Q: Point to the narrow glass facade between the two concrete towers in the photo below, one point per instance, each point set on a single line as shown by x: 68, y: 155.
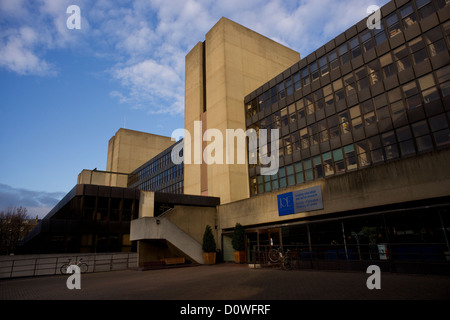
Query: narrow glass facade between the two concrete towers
x: 159, y: 174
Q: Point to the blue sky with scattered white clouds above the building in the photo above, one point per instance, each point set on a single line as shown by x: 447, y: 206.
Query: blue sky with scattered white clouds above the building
x: 65, y: 92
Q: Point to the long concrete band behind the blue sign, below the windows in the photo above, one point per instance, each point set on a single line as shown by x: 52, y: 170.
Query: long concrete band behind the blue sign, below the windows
x: 421, y: 177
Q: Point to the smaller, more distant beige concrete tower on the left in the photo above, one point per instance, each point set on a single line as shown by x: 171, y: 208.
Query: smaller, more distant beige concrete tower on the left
x: 129, y: 149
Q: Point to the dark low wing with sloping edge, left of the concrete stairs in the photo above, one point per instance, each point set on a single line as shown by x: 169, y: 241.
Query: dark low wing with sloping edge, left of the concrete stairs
x: 89, y: 219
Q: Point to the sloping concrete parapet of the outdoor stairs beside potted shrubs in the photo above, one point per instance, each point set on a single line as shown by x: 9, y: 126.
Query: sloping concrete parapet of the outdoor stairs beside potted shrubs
x: 161, y: 228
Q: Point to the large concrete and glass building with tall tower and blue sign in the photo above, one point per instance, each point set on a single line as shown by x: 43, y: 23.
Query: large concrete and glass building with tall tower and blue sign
x: 363, y: 147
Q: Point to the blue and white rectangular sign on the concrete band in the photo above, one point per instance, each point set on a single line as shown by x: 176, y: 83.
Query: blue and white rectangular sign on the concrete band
x: 300, y: 201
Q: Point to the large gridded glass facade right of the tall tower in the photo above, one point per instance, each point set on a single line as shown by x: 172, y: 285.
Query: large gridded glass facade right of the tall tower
x: 366, y: 97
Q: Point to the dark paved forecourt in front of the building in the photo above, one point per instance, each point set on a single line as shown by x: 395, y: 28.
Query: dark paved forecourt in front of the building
x: 227, y: 282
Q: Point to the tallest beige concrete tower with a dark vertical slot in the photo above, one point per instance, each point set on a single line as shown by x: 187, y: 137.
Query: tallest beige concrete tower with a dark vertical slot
x: 232, y: 62
